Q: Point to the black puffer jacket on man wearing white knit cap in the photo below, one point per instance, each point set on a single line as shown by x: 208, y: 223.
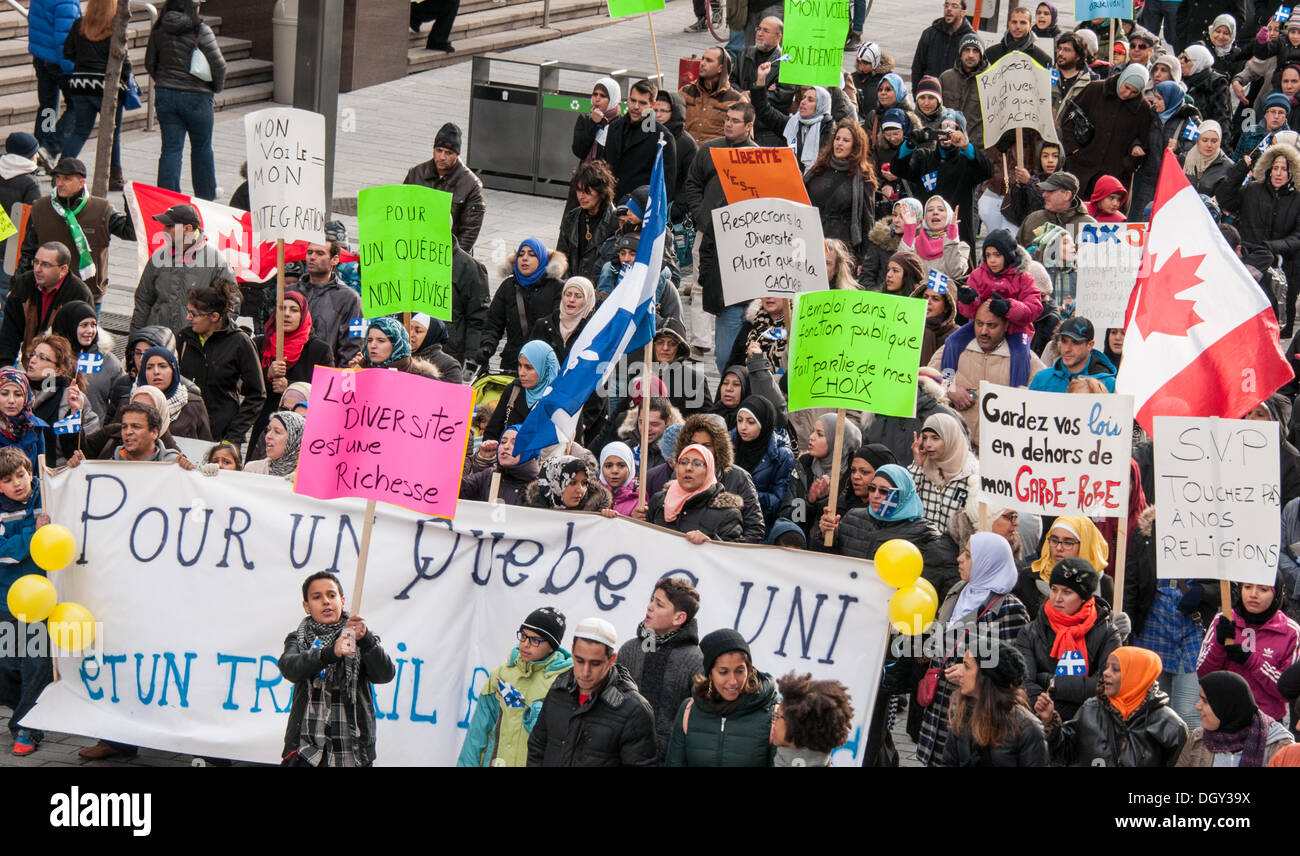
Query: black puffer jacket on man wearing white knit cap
x: 616, y: 728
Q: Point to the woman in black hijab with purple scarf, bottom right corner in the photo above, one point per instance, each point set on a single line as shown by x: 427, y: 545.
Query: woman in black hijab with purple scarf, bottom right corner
x: 1234, y: 732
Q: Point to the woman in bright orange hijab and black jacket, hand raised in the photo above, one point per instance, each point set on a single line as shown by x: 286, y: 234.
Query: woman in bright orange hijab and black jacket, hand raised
x: 1128, y: 723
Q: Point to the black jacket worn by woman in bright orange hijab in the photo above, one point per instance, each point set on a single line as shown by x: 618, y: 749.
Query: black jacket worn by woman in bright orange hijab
x: 1152, y: 736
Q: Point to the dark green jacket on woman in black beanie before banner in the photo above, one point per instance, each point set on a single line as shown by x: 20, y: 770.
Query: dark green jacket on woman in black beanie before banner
x: 738, y: 740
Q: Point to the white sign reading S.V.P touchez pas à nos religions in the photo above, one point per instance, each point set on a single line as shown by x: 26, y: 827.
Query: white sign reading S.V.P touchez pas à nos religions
x: 1217, y: 499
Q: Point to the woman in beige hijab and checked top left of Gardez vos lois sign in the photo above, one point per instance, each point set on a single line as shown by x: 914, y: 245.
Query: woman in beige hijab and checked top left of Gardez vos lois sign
x: 944, y: 469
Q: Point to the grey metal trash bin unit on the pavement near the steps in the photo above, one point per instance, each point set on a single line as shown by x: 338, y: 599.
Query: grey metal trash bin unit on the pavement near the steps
x: 522, y: 116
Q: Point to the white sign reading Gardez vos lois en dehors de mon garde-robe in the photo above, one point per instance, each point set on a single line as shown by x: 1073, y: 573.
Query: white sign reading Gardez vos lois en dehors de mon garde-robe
x: 1055, y: 453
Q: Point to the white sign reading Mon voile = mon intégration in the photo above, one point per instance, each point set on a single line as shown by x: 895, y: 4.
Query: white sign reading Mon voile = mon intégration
x: 287, y: 174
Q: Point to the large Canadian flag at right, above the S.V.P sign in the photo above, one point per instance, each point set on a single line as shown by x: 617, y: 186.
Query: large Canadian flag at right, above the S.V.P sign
x: 1201, y: 338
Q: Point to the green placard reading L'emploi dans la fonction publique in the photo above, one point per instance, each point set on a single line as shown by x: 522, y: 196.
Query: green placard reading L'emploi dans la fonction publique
x: 857, y: 351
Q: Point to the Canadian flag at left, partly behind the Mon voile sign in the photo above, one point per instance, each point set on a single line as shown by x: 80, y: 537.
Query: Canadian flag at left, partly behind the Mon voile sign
x: 228, y: 230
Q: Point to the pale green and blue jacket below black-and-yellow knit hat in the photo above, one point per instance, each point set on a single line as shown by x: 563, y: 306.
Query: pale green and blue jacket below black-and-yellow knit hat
x: 509, y: 706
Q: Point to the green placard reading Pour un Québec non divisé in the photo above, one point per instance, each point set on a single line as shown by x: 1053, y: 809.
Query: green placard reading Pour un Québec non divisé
x: 406, y: 250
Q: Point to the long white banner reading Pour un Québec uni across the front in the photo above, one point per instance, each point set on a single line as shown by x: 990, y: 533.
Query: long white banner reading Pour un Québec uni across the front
x: 197, y: 583
